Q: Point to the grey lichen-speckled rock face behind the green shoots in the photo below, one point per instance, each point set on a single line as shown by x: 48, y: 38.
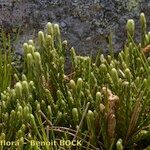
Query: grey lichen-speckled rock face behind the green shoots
x: 85, y: 24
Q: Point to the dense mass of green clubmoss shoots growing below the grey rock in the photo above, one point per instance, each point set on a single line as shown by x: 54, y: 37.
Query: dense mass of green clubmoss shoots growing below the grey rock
x: 105, y: 103
